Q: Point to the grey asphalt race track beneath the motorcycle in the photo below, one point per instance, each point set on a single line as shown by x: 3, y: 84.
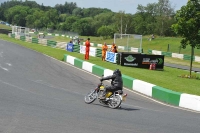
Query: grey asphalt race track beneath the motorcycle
x: 39, y: 94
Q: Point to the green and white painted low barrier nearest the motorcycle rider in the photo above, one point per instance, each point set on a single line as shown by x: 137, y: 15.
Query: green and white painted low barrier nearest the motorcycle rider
x: 159, y: 93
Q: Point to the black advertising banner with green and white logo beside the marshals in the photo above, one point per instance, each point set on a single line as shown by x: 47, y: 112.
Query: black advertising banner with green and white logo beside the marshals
x: 141, y: 60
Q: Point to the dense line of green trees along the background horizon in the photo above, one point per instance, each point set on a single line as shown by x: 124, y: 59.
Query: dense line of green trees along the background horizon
x: 154, y: 18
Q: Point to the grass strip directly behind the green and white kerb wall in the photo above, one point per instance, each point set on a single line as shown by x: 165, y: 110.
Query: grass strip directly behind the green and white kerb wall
x: 168, y: 78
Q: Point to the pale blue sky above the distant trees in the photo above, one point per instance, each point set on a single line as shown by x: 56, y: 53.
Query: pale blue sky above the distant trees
x: 129, y: 6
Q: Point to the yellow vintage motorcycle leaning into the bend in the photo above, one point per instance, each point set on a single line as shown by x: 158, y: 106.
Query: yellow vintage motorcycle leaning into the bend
x: 113, y: 100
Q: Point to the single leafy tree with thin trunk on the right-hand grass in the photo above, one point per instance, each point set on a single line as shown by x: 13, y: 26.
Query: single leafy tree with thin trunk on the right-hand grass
x: 187, y: 26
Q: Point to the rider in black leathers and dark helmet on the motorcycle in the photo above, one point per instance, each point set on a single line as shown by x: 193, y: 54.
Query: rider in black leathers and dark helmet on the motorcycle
x: 116, y: 83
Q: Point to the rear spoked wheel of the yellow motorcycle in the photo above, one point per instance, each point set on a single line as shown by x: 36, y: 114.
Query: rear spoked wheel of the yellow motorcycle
x: 115, y: 102
